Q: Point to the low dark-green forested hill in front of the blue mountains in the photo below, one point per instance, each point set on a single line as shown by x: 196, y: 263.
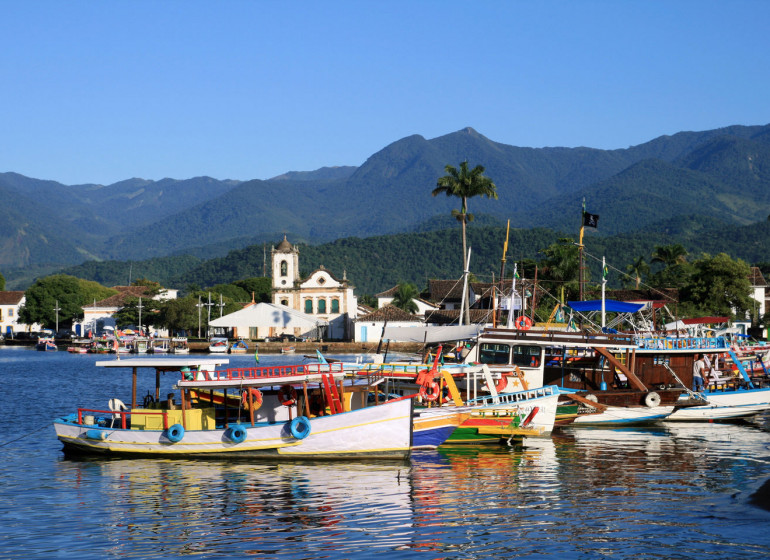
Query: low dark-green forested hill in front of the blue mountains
x: 378, y: 263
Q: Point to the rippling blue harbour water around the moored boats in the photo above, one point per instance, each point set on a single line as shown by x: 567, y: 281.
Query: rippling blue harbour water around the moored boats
x: 676, y: 491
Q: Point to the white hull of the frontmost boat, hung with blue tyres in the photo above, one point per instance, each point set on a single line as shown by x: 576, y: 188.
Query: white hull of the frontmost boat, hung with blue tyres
x: 383, y: 431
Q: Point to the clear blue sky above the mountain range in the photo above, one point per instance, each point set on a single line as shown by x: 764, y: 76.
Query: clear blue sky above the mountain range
x: 98, y: 92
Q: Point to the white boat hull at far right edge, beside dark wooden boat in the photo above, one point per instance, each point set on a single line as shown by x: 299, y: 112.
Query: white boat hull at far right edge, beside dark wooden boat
x: 742, y: 403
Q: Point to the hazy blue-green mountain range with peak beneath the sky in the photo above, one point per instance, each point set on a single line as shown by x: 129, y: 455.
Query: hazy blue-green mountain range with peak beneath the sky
x: 715, y: 176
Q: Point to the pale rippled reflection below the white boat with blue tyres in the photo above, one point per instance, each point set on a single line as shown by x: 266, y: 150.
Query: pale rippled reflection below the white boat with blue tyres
x: 184, y: 507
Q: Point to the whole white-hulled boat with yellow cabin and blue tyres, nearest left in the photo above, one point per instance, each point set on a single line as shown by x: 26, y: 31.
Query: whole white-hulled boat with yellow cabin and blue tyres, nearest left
x: 274, y: 428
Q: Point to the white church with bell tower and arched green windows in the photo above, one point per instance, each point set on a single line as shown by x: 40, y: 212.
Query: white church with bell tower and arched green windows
x: 321, y: 294
